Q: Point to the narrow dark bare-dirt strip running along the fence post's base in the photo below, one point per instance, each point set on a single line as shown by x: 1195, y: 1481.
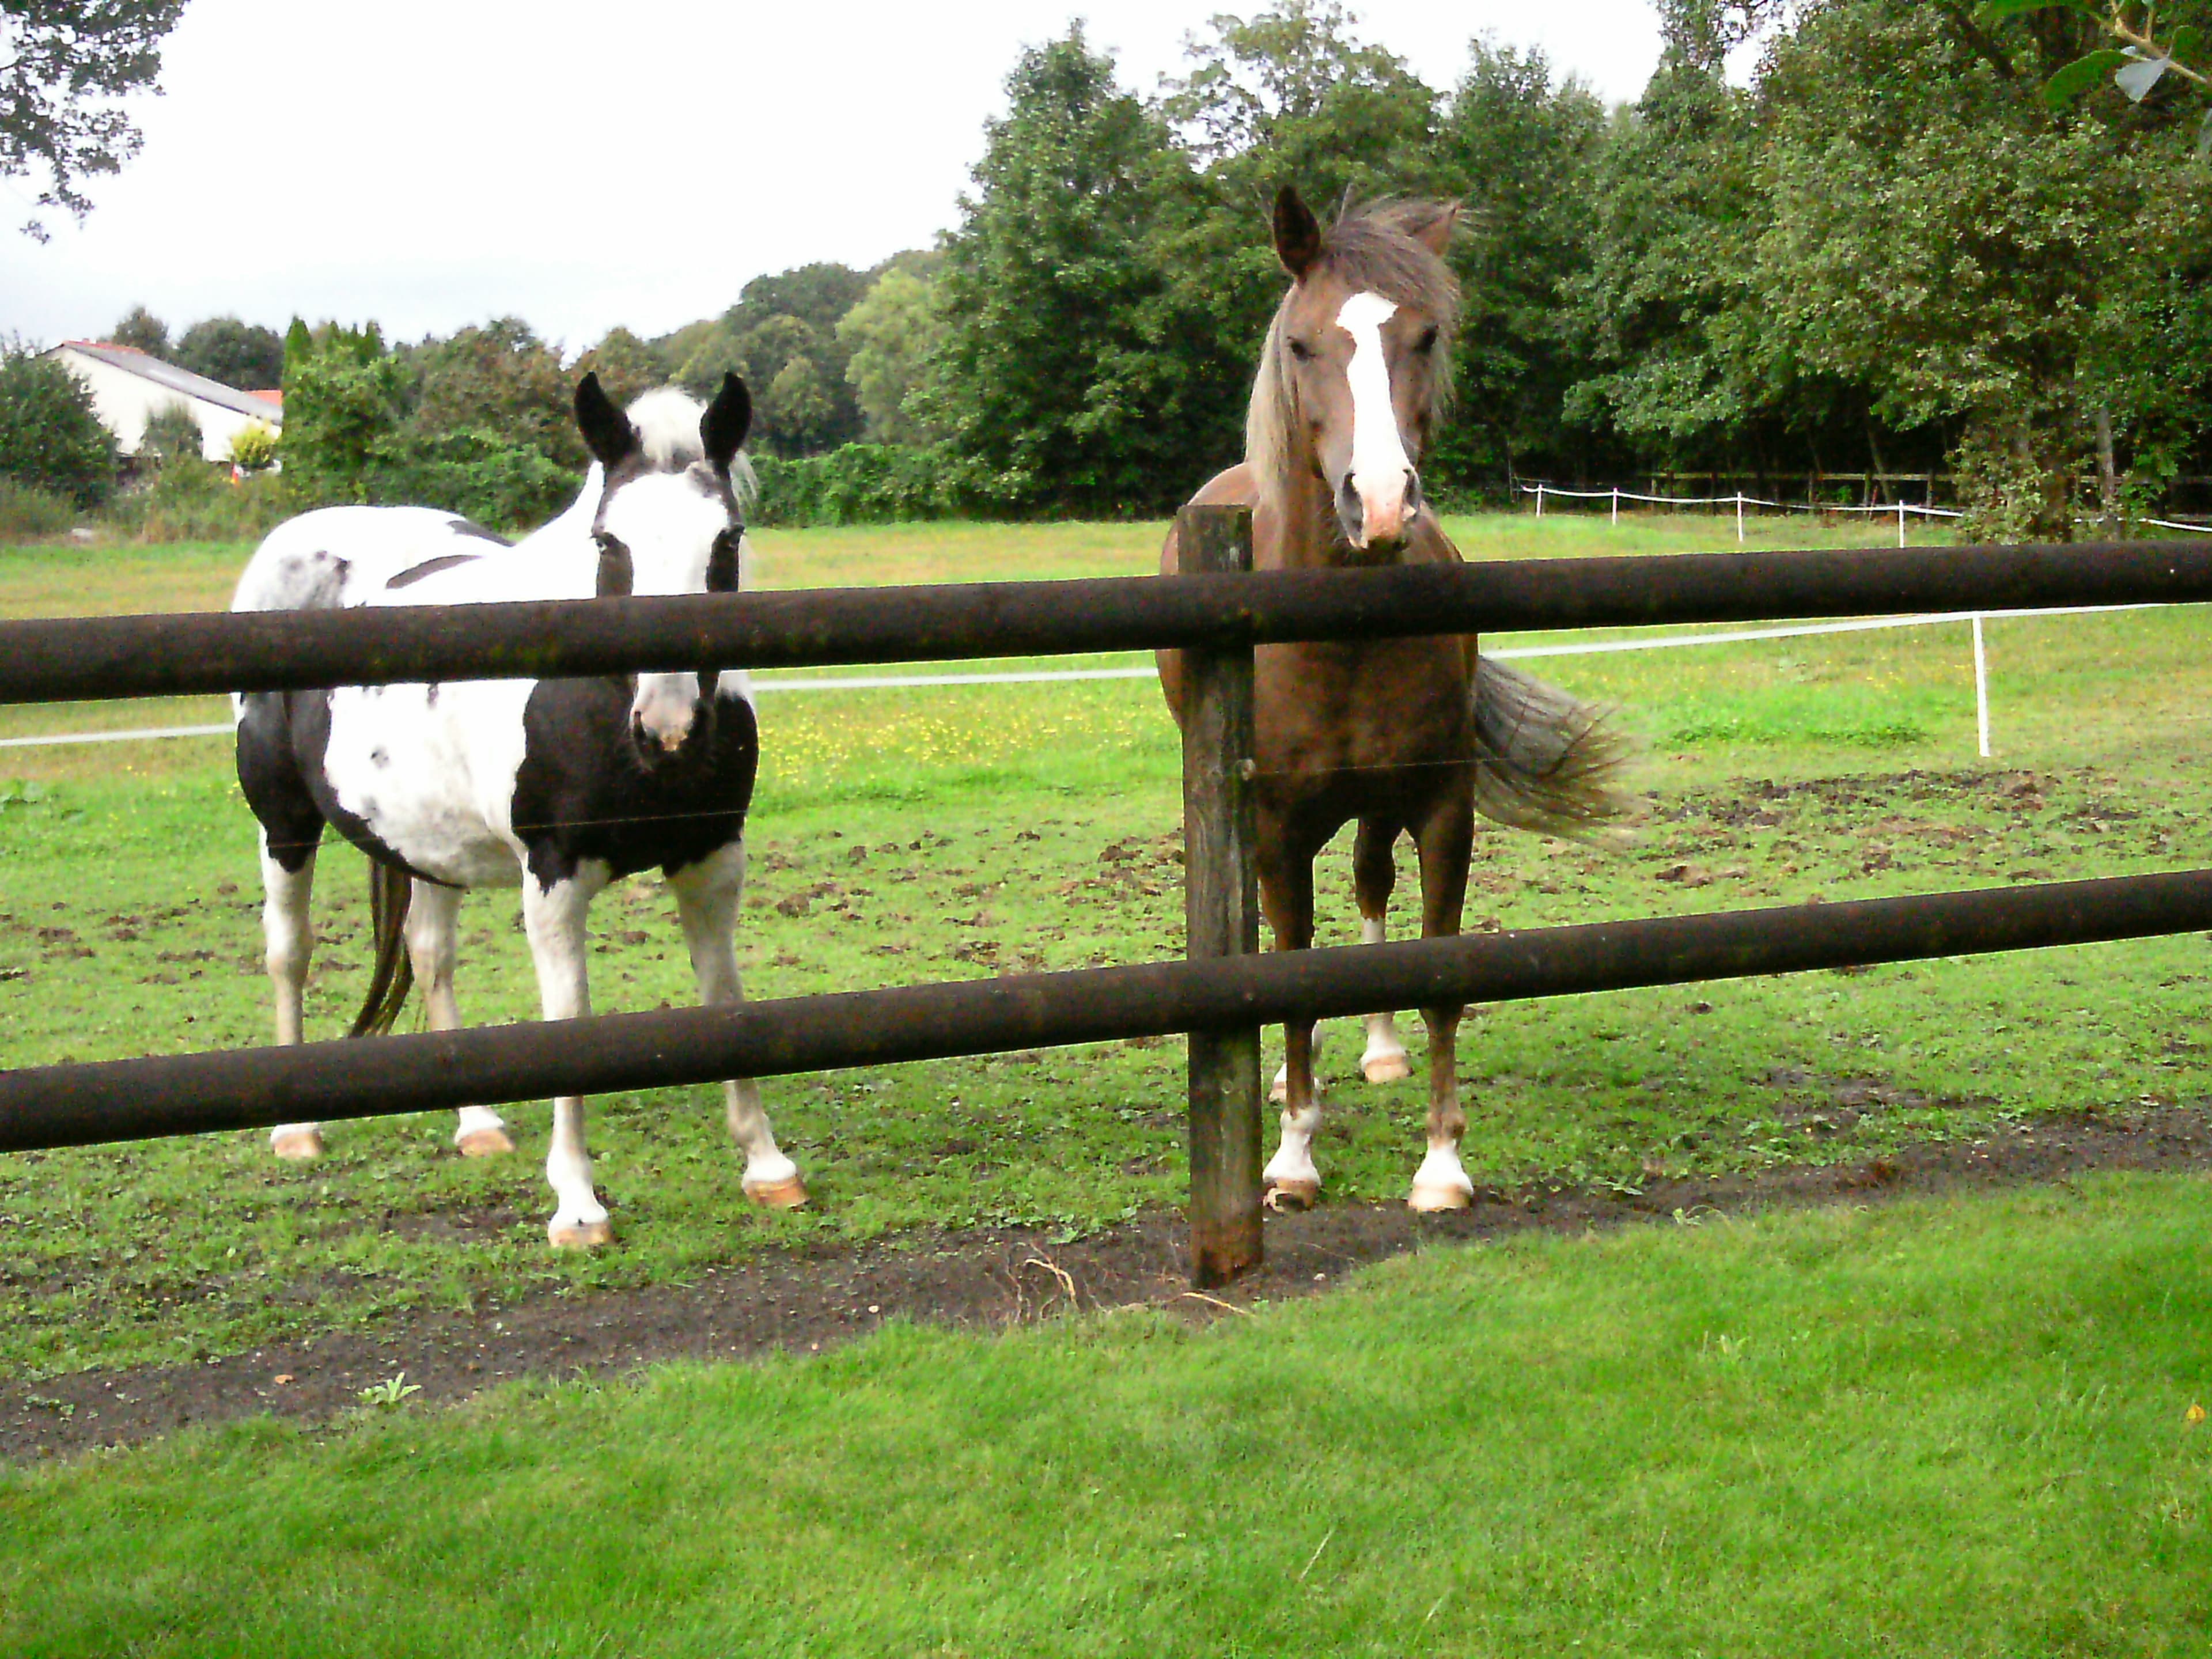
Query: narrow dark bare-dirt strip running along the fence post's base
x: 804, y: 1302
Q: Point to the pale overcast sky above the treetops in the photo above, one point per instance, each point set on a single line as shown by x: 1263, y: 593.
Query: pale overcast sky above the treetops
x: 439, y: 163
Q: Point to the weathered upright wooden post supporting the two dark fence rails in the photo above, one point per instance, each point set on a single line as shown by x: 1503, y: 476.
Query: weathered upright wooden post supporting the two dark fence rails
x: 1222, y: 915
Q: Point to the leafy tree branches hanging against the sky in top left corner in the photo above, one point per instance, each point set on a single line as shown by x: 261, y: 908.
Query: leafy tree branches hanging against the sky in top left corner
x: 67, y: 67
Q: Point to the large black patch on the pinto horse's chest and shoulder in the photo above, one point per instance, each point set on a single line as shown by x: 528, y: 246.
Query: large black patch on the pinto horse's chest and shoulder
x: 583, y: 791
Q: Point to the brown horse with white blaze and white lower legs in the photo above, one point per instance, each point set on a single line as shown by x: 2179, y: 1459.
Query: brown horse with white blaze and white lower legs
x: 1404, y: 735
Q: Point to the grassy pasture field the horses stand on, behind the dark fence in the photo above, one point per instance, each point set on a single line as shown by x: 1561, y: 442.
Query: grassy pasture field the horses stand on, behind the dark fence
x: 908, y: 837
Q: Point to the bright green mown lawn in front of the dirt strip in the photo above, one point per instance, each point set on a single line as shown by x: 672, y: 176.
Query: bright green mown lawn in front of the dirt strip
x: 1945, y: 1430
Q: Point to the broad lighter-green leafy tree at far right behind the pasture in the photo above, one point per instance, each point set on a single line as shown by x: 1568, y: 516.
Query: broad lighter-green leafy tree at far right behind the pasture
x: 1963, y: 251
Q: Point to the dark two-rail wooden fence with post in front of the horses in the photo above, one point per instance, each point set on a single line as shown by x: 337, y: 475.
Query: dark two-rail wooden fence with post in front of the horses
x: 1227, y: 990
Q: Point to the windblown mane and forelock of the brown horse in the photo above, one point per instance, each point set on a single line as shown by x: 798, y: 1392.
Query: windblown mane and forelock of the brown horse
x: 1370, y: 251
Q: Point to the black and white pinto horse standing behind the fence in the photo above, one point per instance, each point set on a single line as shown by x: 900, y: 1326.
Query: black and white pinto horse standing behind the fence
x: 559, y: 786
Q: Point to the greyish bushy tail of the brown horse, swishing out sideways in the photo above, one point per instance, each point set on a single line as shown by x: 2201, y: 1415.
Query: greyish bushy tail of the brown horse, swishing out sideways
x: 1547, y: 762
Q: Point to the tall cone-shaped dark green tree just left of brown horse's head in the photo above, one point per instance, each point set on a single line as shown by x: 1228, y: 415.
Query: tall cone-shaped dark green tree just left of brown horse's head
x: 1067, y: 368
